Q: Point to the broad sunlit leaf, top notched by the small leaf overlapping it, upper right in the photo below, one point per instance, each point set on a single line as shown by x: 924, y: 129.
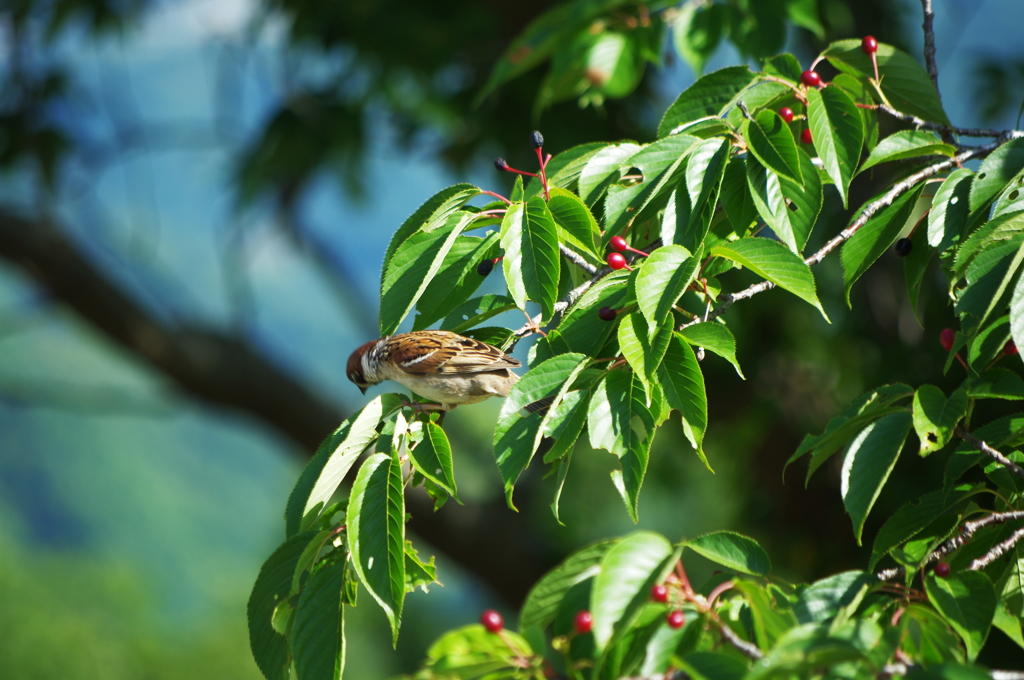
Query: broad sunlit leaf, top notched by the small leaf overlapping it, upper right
x: 790, y: 208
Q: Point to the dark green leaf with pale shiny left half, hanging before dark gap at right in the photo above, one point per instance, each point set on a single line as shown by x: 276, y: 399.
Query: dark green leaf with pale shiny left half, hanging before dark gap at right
x: 870, y: 459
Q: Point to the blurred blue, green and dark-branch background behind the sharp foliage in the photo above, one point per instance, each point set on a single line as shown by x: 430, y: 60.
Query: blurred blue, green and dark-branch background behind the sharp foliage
x: 195, y: 201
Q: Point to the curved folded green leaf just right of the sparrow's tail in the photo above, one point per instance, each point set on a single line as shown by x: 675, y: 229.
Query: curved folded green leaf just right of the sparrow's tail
x: 517, y: 438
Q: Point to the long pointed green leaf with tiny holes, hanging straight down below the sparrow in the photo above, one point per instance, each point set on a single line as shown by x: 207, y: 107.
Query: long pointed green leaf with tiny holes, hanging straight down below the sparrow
x: 377, y: 534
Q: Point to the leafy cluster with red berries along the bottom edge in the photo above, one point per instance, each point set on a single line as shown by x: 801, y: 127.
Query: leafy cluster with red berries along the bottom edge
x: 740, y: 624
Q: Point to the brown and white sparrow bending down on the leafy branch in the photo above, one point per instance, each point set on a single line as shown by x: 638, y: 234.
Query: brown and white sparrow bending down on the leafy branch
x: 441, y: 366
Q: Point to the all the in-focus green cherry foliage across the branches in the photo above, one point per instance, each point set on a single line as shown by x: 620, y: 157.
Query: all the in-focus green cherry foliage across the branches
x: 727, y: 187
